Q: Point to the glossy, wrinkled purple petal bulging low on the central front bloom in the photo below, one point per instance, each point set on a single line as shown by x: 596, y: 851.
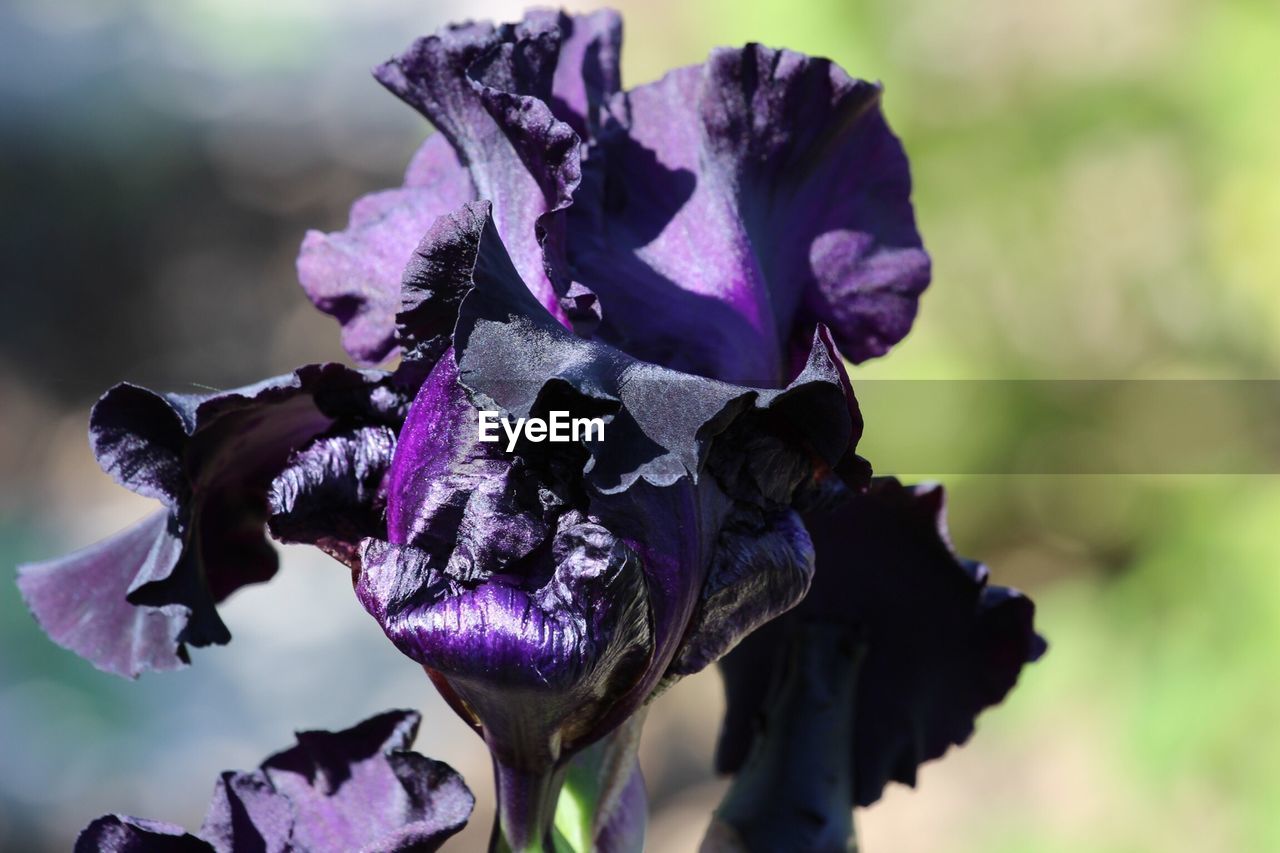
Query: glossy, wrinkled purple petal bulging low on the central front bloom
x: 538, y: 653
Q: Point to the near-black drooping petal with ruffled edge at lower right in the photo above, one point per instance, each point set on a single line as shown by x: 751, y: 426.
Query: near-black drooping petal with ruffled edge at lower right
x: 940, y: 644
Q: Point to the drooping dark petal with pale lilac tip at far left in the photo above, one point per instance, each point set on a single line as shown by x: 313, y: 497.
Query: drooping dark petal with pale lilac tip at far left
x: 136, y: 601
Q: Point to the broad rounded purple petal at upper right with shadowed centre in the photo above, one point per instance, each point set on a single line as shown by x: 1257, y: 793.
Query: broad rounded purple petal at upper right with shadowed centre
x: 732, y: 207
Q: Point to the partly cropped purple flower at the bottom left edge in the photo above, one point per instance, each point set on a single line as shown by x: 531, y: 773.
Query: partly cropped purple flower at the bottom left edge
x: 360, y: 790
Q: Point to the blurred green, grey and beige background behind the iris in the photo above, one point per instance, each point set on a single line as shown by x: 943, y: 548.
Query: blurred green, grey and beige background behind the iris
x: 1099, y: 183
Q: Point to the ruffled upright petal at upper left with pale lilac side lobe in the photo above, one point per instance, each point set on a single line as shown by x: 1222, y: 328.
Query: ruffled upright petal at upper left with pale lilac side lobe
x: 511, y: 104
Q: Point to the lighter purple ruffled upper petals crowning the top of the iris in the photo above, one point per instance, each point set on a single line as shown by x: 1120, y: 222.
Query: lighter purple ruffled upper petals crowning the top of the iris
x: 714, y: 217
